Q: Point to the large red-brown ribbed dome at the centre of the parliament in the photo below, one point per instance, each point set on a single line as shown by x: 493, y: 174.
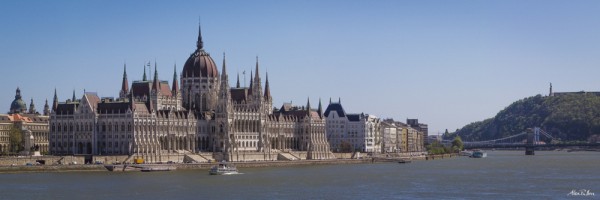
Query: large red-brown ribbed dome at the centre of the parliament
x: 200, y: 64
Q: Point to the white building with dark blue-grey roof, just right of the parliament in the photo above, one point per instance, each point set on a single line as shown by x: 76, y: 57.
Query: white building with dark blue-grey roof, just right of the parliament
x: 360, y: 131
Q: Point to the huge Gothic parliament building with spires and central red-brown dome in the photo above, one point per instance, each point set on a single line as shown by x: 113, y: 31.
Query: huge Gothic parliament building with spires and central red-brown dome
x: 199, y: 119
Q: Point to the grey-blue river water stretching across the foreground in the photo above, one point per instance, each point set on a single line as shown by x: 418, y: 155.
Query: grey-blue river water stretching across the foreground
x: 502, y: 175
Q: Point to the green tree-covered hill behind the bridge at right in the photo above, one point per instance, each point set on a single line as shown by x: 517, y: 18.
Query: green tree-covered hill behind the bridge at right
x: 571, y: 117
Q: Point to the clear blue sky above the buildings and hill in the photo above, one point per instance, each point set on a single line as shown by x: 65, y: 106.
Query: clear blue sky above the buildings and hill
x: 447, y: 63
